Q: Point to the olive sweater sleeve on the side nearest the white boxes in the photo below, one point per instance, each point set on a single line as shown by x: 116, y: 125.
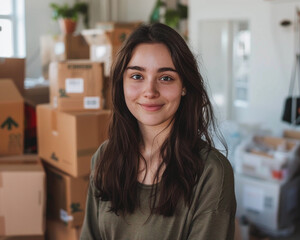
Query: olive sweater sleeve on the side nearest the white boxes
x: 214, y: 211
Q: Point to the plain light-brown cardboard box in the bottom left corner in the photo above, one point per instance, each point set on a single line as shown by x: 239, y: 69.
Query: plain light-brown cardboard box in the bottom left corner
x: 22, y: 194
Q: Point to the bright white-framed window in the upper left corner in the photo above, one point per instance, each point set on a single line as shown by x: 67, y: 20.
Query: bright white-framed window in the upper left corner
x: 12, y: 30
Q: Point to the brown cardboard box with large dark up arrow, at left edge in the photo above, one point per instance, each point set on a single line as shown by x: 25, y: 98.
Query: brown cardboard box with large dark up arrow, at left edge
x: 11, y: 119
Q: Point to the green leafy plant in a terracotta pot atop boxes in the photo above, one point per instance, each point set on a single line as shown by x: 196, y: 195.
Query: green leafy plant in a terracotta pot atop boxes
x: 68, y: 16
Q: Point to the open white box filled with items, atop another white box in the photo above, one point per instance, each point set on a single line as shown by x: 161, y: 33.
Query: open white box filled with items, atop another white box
x: 269, y: 158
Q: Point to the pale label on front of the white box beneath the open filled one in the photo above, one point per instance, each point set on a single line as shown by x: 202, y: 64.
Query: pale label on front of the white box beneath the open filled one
x: 253, y: 198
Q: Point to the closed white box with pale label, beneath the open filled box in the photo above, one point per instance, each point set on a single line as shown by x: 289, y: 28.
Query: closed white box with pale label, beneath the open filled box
x: 269, y: 205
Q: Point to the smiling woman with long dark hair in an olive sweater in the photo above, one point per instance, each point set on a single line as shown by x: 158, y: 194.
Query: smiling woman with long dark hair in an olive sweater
x: 158, y: 176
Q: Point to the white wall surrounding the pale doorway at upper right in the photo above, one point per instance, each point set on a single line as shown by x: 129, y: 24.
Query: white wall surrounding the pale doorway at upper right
x: 272, y: 51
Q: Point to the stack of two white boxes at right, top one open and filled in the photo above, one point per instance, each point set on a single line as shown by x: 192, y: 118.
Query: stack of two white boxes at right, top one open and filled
x: 268, y: 183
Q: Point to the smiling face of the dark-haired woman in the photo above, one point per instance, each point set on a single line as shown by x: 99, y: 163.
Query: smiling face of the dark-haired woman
x: 152, y: 86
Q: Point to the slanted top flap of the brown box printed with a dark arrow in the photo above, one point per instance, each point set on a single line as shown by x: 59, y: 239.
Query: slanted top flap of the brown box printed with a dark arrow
x: 9, y: 91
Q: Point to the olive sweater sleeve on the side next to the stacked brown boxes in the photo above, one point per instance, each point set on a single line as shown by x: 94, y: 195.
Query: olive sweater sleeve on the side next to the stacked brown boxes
x: 90, y: 229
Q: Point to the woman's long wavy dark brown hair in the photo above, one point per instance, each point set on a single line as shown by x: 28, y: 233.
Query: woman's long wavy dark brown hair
x: 116, y: 172
